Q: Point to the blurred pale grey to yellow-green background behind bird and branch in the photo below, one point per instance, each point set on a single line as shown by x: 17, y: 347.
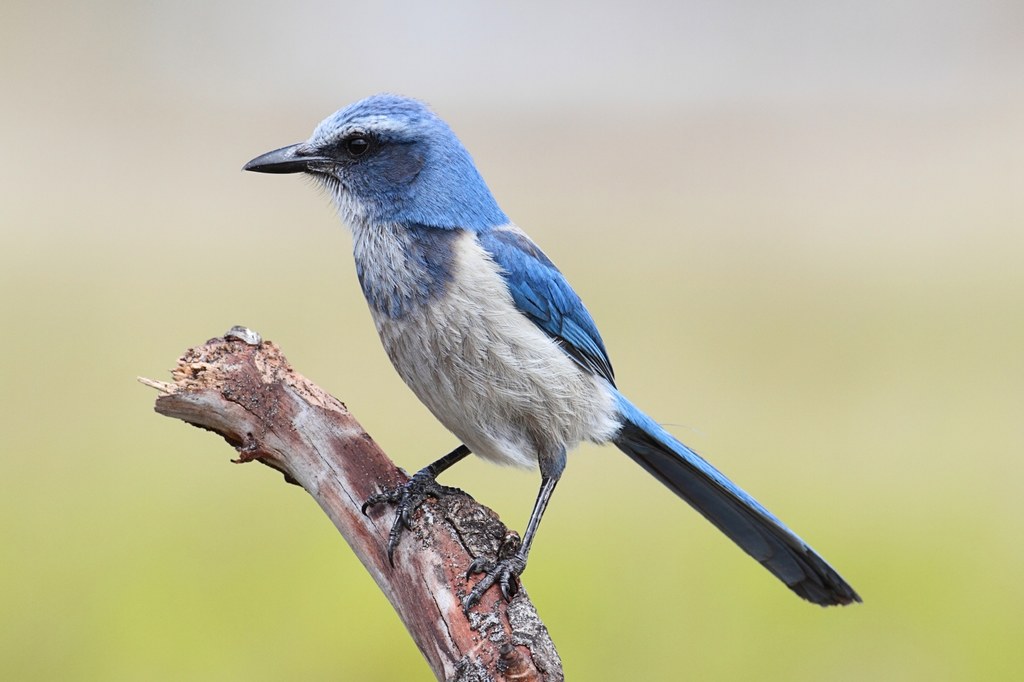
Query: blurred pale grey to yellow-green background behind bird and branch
x: 800, y: 227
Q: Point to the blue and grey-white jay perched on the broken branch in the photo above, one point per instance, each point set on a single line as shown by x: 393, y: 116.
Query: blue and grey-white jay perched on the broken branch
x: 492, y: 338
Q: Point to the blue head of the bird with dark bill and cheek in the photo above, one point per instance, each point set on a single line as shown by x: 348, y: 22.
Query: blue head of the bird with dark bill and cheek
x: 391, y: 159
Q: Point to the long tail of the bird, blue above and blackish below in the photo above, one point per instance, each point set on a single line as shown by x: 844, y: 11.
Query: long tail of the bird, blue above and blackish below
x: 734, y: 511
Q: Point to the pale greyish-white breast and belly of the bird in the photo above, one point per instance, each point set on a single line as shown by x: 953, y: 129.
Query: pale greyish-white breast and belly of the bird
x: 489, y: 374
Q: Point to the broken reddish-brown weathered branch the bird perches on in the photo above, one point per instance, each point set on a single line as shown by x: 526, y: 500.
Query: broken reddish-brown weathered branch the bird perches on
x: 245, y: 391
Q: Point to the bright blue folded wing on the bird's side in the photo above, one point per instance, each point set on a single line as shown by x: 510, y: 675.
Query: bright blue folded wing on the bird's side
x: 542, y: 294
